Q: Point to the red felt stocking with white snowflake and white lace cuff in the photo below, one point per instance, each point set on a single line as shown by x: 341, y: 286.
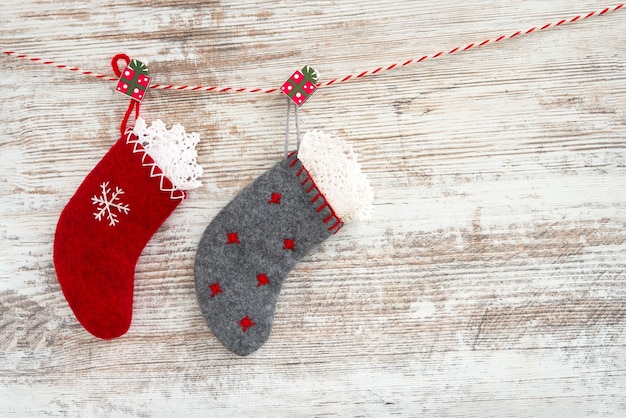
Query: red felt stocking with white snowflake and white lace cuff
x: 109, y: 220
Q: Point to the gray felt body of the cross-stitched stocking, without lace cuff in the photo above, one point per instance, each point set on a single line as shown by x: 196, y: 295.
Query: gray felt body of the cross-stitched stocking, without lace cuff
x: 261, y: 225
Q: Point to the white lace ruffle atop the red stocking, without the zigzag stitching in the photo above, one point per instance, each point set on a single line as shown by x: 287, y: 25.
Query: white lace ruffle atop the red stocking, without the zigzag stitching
x: 173, y: 150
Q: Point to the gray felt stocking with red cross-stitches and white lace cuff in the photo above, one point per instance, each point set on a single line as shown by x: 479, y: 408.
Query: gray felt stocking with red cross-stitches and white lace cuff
x: 254, y: 242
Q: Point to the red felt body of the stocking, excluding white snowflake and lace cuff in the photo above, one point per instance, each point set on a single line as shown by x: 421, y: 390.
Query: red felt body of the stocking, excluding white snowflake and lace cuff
x: 94, y: 261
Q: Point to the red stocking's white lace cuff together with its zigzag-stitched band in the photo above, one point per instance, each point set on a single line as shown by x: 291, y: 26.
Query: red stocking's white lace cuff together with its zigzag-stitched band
x: 172, y: 155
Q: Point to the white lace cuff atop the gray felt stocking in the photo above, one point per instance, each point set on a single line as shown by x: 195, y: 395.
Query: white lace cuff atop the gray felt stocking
x: 333, y: 165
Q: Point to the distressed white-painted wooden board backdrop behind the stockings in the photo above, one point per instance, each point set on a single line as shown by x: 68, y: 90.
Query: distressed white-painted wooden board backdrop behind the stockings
x: 489, y: 283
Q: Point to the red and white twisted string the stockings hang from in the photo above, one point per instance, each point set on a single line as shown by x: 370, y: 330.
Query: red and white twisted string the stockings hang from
x: 379, y: 70
